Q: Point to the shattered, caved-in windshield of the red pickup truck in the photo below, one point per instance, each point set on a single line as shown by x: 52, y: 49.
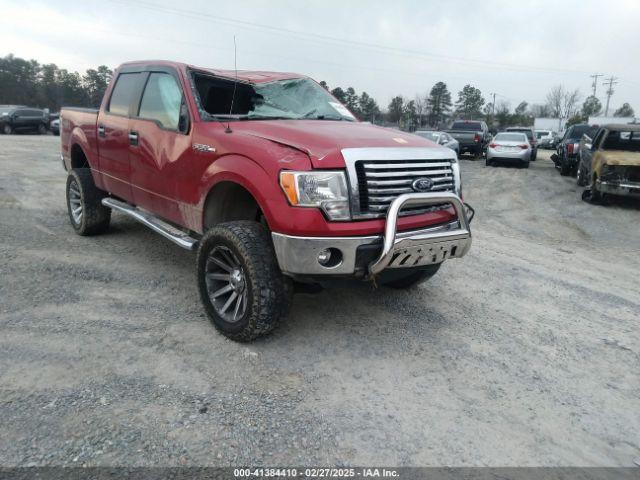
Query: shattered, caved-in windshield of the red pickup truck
x: 295, y: 99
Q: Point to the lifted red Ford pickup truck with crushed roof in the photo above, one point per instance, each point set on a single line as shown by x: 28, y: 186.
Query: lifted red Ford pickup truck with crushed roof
x: 271, y: 179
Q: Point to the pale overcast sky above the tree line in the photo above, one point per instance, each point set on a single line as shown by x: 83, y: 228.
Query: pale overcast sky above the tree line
x: 518, y: 49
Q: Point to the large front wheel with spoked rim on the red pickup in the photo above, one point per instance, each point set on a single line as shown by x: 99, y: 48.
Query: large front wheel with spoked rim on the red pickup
x: 241, y: 286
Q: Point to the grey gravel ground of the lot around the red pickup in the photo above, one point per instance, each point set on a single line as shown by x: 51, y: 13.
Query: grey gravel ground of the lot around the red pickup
x: 526, y: 352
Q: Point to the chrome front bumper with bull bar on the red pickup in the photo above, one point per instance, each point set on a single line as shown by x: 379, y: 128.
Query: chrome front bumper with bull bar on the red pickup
x: 367, y: 256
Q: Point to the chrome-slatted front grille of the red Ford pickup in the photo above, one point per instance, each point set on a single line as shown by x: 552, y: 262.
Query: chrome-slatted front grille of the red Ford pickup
x: 381, y: 181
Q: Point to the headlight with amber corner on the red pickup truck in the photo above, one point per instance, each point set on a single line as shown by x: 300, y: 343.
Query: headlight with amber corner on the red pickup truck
x: 319, y: 189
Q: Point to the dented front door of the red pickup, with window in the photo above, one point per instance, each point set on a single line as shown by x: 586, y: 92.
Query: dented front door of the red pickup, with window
x: 160, y: 155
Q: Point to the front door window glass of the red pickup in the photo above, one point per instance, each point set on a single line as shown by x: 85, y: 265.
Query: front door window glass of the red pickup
x: 161, y: 100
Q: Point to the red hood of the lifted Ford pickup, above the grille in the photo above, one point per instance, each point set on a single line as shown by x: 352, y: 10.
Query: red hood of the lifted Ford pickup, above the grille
x: 322, y: 140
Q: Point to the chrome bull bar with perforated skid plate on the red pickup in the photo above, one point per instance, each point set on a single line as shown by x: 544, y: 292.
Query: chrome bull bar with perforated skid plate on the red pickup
x: 406, y: 250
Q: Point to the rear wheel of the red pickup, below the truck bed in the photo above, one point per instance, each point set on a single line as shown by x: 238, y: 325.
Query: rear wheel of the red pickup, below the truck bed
x: 84, y: 203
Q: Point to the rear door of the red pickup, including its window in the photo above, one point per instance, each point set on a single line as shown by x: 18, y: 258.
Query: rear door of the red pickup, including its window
x: 113, y: 133
